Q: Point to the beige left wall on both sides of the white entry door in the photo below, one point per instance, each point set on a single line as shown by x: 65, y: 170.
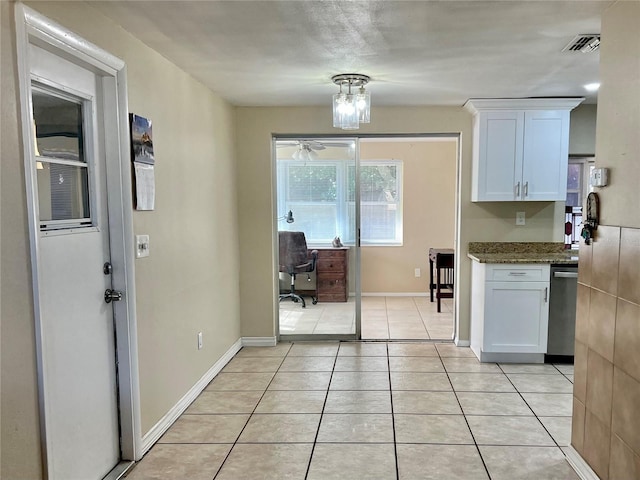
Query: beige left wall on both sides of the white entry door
x: 190, y: 281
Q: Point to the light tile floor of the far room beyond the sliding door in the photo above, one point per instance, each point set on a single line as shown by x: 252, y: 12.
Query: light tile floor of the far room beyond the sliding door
x: 405, y: 318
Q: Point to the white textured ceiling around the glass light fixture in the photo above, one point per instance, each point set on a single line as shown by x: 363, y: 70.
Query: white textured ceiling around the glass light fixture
x: 283, y: 53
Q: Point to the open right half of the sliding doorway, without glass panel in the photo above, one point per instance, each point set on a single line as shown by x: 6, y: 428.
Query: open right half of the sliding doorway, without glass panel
x: 395, y: 272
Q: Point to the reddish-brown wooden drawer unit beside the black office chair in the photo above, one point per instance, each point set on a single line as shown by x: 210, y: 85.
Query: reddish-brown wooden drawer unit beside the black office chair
x: 332, y: 272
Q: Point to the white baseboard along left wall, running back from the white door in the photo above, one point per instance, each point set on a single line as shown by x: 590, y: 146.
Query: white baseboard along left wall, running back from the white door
x: 153, y: 435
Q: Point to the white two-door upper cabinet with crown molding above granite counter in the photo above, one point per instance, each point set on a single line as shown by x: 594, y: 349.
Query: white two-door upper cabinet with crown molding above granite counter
x: 520, y: 149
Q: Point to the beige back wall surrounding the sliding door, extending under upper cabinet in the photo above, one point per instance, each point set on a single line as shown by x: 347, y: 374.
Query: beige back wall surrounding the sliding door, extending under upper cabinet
x: 478, y: 221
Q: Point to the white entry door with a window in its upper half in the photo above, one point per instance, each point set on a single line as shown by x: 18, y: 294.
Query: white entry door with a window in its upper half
x: 77, y: 325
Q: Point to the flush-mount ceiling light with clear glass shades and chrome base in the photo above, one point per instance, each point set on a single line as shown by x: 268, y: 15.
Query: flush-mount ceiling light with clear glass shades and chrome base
x: 351, y: 109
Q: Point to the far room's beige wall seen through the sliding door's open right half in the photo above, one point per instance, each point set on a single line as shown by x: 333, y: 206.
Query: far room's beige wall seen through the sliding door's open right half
x: 428, y: 193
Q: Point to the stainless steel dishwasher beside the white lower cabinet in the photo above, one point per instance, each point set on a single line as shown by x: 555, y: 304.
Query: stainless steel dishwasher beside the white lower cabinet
x: 562, y: 311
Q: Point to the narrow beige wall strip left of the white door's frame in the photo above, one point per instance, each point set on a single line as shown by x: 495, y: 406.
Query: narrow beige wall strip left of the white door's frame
x: 20, y: 439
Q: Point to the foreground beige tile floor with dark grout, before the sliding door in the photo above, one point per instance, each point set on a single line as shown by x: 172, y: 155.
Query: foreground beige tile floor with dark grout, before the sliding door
x: 372, y: 410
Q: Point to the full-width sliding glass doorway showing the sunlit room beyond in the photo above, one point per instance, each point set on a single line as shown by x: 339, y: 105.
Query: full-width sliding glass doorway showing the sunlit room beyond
x: 403, y: 204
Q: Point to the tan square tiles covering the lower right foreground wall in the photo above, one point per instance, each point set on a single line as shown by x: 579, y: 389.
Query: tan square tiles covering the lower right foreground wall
x: 606, y: 414
